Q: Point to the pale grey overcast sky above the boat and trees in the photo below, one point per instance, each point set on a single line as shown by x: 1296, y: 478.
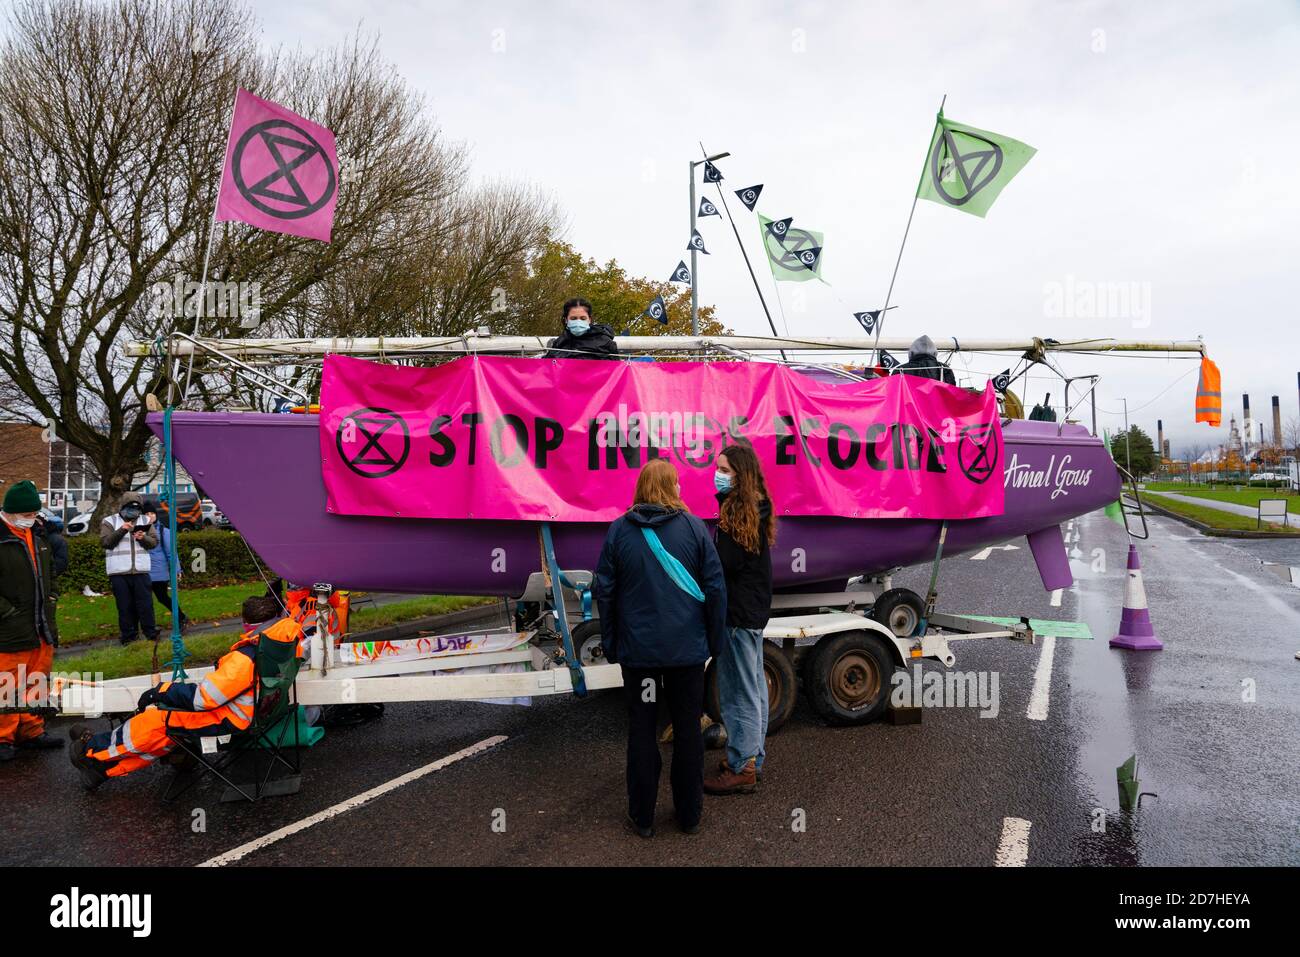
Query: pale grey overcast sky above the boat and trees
x: 1168, y: 137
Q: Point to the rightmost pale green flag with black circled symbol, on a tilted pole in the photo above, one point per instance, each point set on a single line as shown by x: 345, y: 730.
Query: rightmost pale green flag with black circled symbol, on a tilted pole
x: 968, y: 168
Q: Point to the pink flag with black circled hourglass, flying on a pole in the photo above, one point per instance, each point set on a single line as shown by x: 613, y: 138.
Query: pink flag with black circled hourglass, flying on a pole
x: 281, y: 171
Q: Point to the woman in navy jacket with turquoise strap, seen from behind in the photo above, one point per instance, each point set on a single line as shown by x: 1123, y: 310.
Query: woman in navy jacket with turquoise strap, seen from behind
x: 664, y: 613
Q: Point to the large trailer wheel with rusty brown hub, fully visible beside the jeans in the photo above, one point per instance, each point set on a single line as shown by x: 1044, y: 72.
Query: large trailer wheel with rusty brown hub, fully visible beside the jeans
x: 848, y: 678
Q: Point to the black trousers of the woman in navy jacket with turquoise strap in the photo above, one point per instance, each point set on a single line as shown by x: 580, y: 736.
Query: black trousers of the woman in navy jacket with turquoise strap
x: 683, y: 690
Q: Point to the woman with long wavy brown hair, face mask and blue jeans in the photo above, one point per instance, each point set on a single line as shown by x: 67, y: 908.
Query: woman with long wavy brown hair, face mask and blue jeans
x: 746, y: 534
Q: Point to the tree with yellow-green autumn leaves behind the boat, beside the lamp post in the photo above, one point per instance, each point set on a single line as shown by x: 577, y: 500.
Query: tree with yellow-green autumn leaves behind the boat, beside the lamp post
x: 532, y: 306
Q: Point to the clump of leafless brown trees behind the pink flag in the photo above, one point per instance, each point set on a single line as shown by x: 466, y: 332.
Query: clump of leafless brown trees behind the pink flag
x: 114, y: 122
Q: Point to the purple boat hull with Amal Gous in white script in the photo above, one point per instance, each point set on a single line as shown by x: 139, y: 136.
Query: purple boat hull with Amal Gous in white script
x: 265, y: 473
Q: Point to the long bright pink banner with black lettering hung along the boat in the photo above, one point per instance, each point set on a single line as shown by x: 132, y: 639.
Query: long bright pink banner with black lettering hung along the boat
x: 538, y: 440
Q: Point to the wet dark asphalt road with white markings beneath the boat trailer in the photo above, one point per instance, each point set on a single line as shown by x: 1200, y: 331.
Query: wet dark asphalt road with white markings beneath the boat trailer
x: 1214, y: 720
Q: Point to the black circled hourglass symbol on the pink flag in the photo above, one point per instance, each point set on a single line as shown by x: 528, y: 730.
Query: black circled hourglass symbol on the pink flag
x: 292, y: 149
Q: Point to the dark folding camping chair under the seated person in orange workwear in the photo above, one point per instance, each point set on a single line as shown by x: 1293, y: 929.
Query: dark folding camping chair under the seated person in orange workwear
x: 275, y: 704
